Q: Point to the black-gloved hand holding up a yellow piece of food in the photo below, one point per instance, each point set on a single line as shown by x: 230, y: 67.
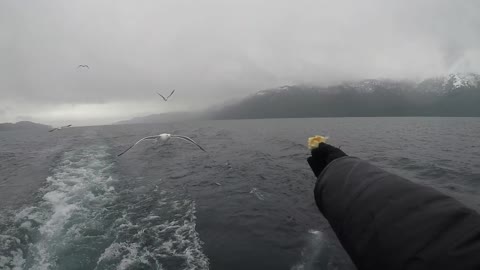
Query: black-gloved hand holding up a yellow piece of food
x: 322, y: 156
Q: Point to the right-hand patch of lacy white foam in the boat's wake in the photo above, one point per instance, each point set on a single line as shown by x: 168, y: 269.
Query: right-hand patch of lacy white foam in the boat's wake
x: 172, y: 238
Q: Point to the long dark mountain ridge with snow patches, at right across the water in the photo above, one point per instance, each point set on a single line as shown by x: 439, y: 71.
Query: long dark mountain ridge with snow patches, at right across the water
x: 451, y: 95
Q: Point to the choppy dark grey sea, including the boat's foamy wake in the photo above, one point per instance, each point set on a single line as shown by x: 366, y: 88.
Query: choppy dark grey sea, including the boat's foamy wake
x: 67, y: 202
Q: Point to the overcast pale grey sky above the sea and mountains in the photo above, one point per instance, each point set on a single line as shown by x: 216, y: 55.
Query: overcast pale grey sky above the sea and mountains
x: 213, y: 51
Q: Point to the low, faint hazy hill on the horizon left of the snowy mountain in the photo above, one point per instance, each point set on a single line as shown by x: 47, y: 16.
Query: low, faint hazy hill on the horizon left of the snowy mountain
x: 162, y: 118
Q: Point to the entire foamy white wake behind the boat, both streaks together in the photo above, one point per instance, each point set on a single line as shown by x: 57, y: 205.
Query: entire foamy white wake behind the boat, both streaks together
x: 81, y: 218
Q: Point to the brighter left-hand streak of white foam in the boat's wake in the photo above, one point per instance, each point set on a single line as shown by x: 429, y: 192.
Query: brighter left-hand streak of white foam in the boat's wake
x: 79, y: 184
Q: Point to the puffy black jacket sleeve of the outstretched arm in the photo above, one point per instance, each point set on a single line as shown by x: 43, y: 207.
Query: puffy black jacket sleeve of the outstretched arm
x: 386, y: 222
